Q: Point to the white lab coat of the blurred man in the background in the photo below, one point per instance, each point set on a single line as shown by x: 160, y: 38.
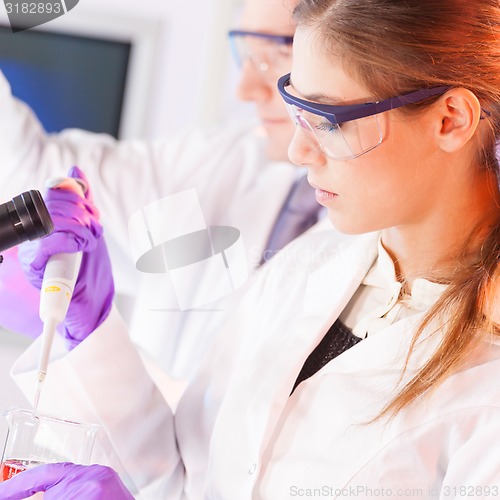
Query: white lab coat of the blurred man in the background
x: 235, y: 183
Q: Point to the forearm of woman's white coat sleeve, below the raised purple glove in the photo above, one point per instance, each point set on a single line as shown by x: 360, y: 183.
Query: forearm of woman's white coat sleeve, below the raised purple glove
x: 103, y: 381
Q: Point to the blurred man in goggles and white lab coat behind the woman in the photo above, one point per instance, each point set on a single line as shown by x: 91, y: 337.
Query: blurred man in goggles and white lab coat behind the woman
x: 241, y: 177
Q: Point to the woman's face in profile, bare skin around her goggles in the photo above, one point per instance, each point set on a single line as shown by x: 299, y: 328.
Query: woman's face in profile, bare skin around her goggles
x: 397, y: 183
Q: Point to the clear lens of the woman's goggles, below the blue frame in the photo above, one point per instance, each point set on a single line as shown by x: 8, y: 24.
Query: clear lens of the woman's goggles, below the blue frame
x: 338, y: 141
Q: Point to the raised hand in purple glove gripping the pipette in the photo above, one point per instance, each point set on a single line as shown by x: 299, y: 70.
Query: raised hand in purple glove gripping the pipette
x: 76, y: 228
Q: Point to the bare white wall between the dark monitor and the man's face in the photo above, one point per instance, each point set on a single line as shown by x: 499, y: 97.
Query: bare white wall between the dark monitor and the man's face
x: 192, y: 60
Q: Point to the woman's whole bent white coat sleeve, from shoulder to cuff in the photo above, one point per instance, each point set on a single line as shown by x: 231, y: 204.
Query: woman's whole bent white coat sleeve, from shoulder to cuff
x: 105, y: 381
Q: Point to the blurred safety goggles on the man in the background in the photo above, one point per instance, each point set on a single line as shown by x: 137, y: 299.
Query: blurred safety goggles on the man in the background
x: 269, y: 53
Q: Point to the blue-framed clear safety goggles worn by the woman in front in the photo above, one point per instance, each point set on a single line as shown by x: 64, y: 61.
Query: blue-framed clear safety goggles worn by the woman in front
x: 349, y: 131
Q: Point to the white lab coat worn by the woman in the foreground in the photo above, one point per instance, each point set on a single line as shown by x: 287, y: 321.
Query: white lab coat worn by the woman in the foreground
x: 239, y: 433
